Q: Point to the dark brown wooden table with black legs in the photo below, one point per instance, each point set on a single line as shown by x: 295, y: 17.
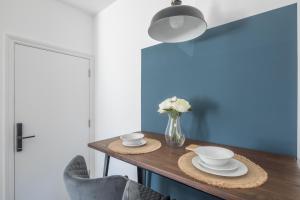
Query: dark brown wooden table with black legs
x: 283, y: 171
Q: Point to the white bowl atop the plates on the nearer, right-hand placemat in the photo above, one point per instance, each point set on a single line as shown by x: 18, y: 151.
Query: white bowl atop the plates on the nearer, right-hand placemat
x: 215, y: 156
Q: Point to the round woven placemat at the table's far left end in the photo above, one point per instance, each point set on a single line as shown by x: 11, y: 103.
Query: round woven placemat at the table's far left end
x: 150, y: 146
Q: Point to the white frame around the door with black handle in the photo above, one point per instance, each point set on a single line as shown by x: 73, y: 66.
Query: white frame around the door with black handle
x: 9, y: 136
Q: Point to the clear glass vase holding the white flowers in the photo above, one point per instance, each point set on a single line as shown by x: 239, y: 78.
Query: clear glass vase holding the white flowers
x: 173, y: 134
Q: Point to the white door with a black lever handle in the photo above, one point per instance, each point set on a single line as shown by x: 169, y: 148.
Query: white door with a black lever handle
x: 52, y: 102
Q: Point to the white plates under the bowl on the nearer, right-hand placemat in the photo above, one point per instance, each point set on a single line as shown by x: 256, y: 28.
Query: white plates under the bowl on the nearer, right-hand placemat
x: 240, y: 171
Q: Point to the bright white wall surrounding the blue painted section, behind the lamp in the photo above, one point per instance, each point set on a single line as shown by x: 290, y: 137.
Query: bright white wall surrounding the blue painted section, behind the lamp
x: 121, y: 33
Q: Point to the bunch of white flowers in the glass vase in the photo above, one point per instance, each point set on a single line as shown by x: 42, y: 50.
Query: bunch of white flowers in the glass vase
x: 174, y: 104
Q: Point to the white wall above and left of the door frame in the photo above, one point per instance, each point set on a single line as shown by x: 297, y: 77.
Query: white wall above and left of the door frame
x: 47, y: 21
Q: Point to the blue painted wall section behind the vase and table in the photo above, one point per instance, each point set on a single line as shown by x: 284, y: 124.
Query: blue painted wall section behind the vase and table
x: 241, y: 79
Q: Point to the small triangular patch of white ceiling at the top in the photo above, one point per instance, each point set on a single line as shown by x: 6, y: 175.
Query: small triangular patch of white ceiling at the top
x: 90, y: 6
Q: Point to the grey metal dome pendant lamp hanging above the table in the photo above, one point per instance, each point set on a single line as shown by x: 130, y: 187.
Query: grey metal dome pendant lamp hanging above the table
x: 177, y: 23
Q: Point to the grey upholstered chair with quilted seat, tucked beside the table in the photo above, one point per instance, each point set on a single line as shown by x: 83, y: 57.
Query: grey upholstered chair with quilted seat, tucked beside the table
x: 81, y: 187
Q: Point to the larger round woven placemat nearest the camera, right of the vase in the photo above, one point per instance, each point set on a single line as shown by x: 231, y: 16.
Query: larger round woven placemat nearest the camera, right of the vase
x: 255, y: 177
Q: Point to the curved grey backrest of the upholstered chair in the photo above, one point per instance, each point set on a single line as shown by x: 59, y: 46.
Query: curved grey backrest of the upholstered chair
x: 81, y: 187
